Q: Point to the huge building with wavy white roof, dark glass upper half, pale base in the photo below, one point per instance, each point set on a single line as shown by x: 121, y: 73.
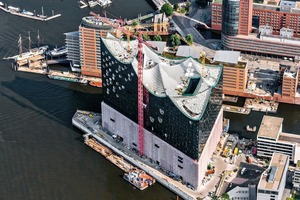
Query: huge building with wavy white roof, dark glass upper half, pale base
x: 182, y: 107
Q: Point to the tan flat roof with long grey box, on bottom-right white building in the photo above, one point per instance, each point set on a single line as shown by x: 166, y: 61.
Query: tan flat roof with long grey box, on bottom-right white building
x: 272, y: 180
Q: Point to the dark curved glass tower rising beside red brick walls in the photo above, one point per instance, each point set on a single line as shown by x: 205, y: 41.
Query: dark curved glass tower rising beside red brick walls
x: 230, y: 18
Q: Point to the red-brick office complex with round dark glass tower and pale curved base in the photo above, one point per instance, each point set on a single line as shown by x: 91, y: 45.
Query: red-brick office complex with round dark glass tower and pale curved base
x: 238, y: 34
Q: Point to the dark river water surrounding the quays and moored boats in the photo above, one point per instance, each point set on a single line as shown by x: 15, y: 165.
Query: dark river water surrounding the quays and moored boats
x: 42, y: 156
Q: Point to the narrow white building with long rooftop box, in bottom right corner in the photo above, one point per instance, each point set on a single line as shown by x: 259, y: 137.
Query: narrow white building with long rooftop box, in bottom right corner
x: 273, y: 180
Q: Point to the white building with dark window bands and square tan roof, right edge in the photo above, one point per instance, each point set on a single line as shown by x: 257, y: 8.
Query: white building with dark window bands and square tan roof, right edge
x: 270, y: 139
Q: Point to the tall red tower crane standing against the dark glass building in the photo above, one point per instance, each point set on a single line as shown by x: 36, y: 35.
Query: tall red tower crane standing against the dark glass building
x: 120, y: 27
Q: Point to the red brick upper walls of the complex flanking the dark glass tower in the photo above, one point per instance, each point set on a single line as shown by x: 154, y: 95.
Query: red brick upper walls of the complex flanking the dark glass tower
x: 280, y: 15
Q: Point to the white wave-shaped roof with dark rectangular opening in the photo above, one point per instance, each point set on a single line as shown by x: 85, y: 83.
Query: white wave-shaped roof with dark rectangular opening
x: 186, y: 82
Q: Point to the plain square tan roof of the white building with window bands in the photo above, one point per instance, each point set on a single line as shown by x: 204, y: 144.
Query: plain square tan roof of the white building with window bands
x: 270, y: 127
